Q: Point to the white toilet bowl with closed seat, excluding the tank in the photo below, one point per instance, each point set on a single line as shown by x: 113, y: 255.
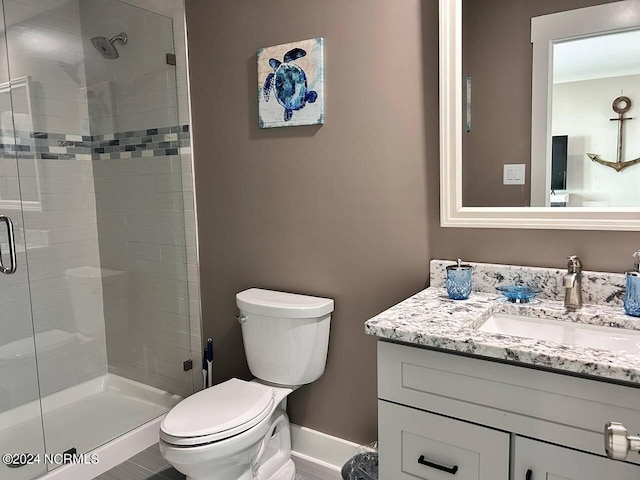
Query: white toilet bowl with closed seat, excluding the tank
x: 222, y: 429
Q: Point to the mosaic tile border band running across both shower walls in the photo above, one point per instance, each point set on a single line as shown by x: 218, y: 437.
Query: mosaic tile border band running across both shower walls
x: 151, y: 142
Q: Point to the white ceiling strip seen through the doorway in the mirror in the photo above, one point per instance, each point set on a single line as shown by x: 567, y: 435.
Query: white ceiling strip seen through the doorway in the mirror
x: 601, y: 56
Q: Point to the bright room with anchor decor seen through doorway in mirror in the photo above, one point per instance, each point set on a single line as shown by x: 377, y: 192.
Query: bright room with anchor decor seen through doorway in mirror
x: 594, y: 124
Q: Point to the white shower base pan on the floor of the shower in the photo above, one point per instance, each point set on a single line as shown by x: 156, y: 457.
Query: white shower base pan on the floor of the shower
x: 111, y: 417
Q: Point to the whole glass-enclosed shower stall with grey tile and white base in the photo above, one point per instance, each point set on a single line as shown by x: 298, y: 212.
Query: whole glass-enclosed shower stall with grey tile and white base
x: 98, y: 282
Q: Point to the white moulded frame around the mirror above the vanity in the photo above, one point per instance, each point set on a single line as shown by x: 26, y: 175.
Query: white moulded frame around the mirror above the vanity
x: 452, y: 213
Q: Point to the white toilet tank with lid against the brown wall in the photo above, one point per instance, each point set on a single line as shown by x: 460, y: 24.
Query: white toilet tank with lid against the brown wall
x: 285, y: 335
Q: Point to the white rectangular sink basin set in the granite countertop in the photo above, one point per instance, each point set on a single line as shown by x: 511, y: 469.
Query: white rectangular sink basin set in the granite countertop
x: 606, y: 338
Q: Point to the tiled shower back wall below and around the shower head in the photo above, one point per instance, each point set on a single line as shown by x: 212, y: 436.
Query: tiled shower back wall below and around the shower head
x: 144, y: 199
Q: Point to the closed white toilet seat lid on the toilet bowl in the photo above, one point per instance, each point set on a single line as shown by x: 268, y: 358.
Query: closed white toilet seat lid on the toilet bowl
x: 218, y: 413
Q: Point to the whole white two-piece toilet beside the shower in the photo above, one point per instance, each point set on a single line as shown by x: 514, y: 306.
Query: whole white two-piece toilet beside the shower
x: 239, y: 430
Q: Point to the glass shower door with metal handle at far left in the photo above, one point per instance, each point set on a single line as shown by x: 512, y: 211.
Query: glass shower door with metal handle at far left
x: 21, y: 431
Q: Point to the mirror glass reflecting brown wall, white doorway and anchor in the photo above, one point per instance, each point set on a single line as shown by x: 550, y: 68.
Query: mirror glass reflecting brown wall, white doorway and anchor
x: 583, y: 154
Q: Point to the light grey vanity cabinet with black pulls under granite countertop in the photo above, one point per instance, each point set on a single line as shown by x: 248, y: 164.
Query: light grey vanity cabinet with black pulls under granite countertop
x: 495, y: 421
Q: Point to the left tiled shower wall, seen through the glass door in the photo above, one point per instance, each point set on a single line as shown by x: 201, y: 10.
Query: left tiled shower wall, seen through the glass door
x: 59, y: 206
